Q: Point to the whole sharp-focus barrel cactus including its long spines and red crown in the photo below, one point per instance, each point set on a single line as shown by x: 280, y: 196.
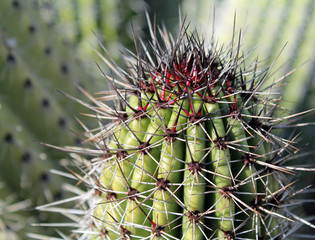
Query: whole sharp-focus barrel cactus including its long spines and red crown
x: 193, y: 150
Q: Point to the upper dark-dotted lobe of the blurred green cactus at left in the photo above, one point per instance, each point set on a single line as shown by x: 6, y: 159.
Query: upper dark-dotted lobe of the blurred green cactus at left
x: 34, y: 62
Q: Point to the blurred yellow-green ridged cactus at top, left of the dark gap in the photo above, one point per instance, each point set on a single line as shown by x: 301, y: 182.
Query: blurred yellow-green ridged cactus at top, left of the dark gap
x: 109, y: 20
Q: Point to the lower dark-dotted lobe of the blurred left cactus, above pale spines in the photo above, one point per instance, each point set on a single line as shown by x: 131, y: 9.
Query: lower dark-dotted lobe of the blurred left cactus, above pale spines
x: 28, y: 172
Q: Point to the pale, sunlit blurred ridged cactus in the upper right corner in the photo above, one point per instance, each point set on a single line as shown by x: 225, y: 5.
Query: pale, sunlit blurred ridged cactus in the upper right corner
x: 291, y: 31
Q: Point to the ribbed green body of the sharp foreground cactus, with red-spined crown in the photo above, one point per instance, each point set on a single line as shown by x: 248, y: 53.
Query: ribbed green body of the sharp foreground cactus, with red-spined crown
x: 182, y: 166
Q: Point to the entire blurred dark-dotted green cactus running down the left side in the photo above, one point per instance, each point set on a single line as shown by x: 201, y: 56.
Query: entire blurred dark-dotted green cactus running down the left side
x: 34, y: 62
